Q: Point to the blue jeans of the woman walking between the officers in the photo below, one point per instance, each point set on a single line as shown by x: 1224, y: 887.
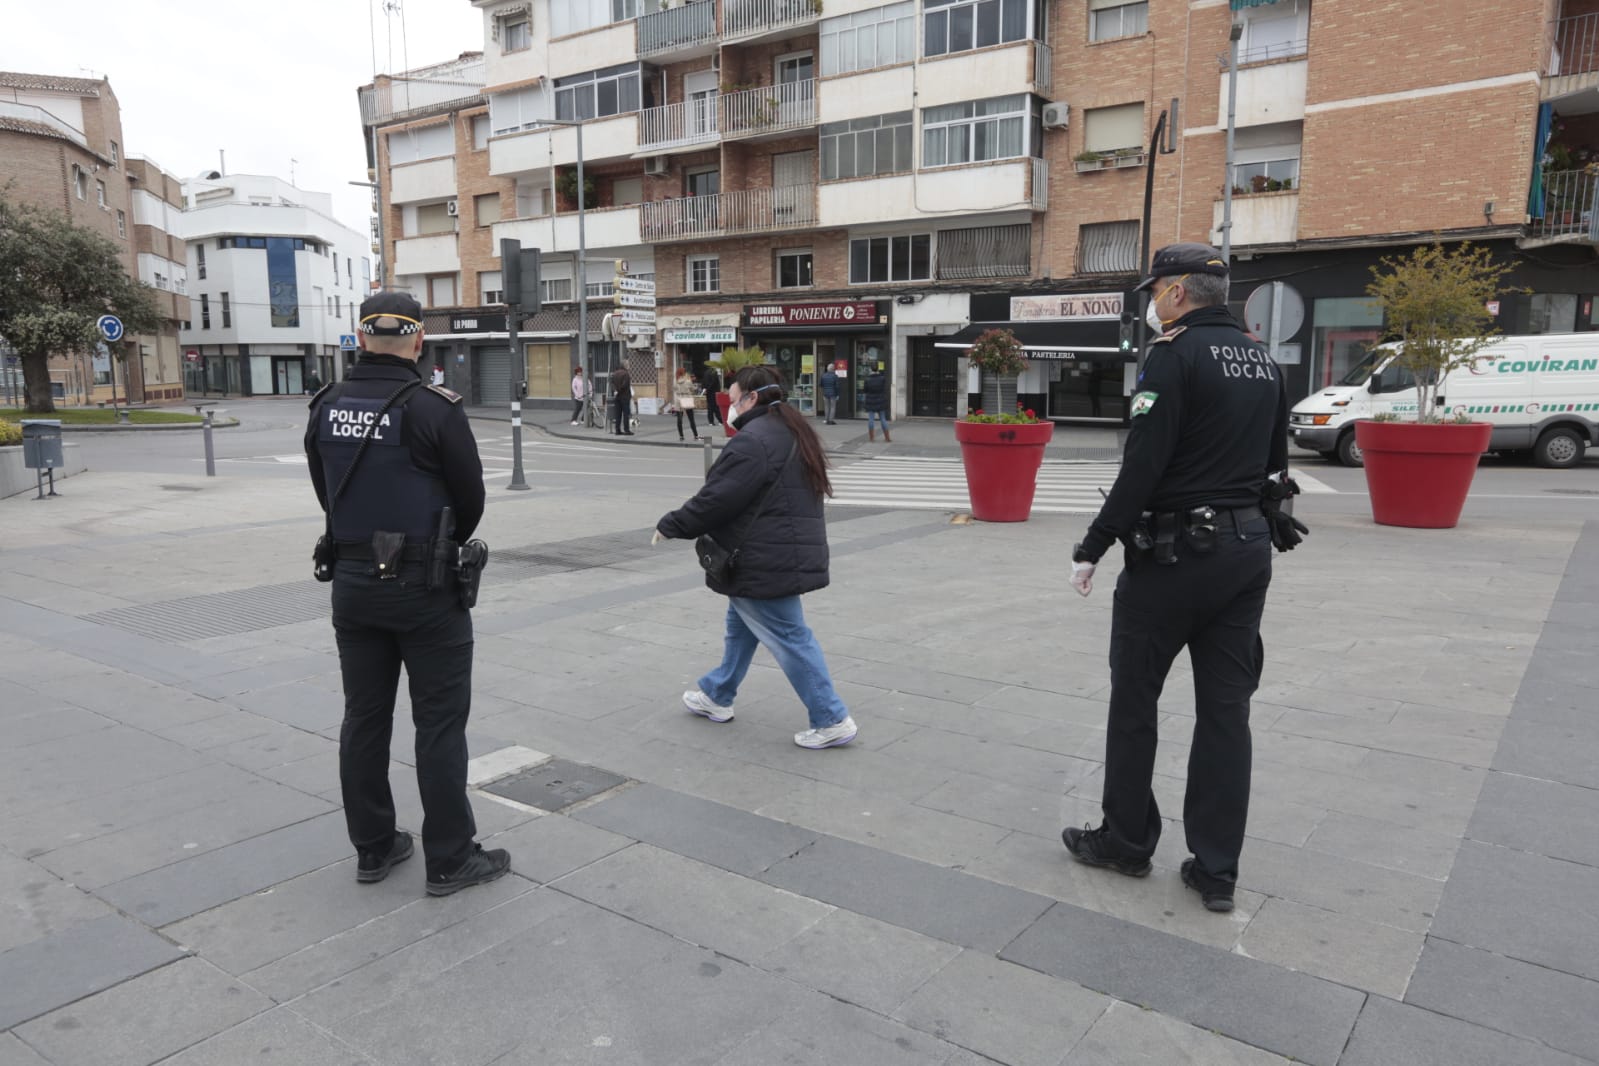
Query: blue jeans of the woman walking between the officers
x: 780, y: 626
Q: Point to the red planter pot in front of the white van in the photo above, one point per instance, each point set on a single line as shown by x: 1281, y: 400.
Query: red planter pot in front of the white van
x: 1419, y: 475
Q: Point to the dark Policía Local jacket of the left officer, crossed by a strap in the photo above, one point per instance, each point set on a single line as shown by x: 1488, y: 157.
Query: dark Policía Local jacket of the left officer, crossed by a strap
x: 421, y: 459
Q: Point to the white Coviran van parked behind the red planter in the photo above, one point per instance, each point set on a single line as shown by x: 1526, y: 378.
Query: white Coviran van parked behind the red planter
x: 1541, y: 394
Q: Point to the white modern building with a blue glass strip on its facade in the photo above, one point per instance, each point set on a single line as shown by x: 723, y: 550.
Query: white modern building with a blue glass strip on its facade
x: 274, y: 285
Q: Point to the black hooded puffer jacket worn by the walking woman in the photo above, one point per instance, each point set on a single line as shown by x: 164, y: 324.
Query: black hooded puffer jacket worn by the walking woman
x: 784, y: 552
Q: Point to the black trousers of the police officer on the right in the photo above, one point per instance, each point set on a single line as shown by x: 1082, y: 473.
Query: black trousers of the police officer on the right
x: 1213, y: 605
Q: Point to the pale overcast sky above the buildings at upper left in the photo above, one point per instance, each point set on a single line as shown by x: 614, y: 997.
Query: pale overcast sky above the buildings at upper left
x: 268, y: 82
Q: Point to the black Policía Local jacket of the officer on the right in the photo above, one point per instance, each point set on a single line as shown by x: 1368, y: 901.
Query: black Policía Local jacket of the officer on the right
x: 1210, y: 423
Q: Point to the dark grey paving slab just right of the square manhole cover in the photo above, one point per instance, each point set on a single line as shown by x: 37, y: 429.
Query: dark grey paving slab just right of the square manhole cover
x: 698, y: 829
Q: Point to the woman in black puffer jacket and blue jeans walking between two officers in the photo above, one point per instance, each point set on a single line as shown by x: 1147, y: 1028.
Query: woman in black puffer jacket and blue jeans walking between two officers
x: 764, y: 499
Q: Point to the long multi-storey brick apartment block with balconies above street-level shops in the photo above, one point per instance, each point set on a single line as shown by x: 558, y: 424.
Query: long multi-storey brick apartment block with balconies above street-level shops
x: 863, y: 183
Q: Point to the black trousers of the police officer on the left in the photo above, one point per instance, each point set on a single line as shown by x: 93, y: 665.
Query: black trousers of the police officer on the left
x: 383, y: 626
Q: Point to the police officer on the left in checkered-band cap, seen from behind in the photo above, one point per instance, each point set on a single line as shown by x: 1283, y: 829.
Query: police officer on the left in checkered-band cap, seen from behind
x: 388, y: 456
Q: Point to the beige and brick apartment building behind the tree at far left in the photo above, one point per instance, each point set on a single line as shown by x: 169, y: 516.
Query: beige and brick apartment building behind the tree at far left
x: 63, y: 149
